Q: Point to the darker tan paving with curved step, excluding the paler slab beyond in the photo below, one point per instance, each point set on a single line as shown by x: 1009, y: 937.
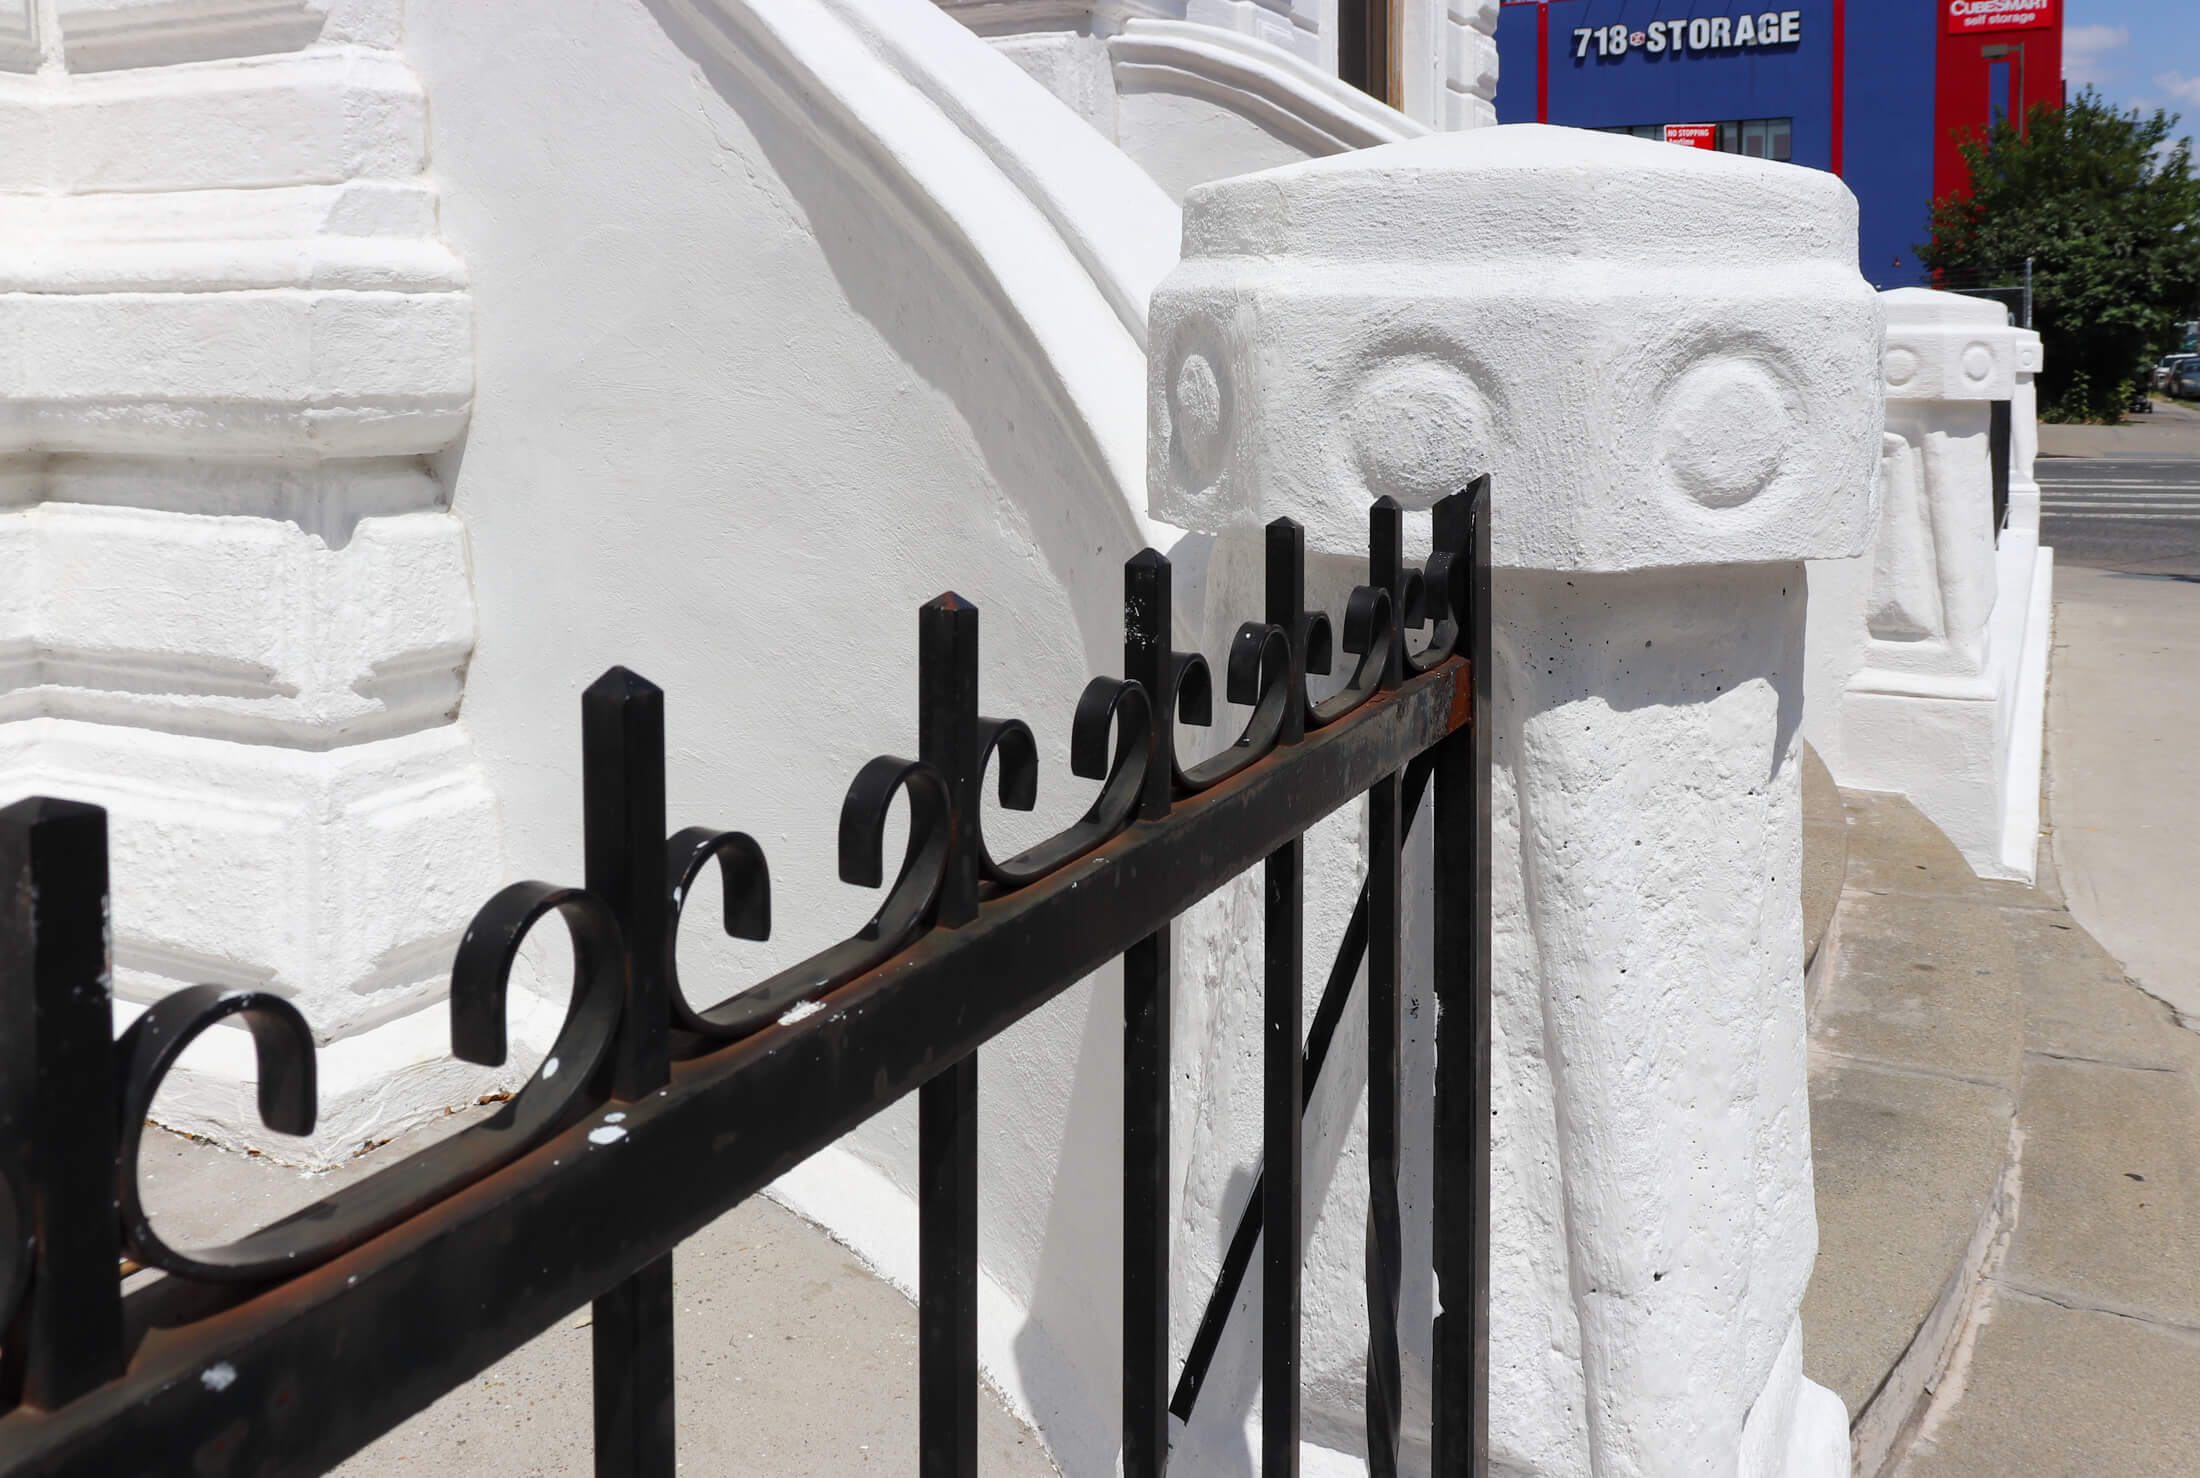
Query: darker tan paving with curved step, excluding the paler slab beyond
x: 2007, y: 1147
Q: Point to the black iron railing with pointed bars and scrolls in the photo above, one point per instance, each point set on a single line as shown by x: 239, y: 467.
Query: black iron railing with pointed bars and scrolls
x: 305, y: 1341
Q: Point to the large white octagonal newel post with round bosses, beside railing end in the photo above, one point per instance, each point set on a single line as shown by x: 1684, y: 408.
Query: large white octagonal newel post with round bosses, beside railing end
x: 1671, y: 368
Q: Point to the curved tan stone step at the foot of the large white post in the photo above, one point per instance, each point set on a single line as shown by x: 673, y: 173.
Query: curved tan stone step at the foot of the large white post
x: 1917, y: 1044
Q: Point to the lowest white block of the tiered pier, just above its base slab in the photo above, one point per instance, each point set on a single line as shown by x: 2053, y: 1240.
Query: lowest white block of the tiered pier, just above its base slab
x: 340, y: 879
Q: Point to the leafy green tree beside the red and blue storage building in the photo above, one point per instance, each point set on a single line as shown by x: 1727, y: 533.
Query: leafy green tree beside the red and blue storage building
x: 2109, y: 210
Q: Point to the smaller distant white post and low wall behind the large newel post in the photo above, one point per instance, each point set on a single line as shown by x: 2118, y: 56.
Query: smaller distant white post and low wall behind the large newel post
x: 1930, y: 657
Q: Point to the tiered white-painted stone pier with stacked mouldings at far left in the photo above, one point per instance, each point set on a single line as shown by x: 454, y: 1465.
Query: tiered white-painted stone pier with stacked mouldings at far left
x: 236, y: 606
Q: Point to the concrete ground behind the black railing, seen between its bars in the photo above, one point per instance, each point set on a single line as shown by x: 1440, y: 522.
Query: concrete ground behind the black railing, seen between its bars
x: 793, y: 1358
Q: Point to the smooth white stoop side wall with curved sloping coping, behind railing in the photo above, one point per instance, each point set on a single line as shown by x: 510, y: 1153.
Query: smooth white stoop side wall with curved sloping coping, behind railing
x: 778, y: 340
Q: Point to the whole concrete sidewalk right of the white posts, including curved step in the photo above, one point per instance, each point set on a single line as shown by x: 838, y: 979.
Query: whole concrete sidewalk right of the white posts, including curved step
x: 2043, y: 1316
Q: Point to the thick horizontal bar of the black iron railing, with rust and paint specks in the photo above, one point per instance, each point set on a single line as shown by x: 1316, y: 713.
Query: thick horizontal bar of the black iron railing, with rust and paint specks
x: 298, y: 1378
